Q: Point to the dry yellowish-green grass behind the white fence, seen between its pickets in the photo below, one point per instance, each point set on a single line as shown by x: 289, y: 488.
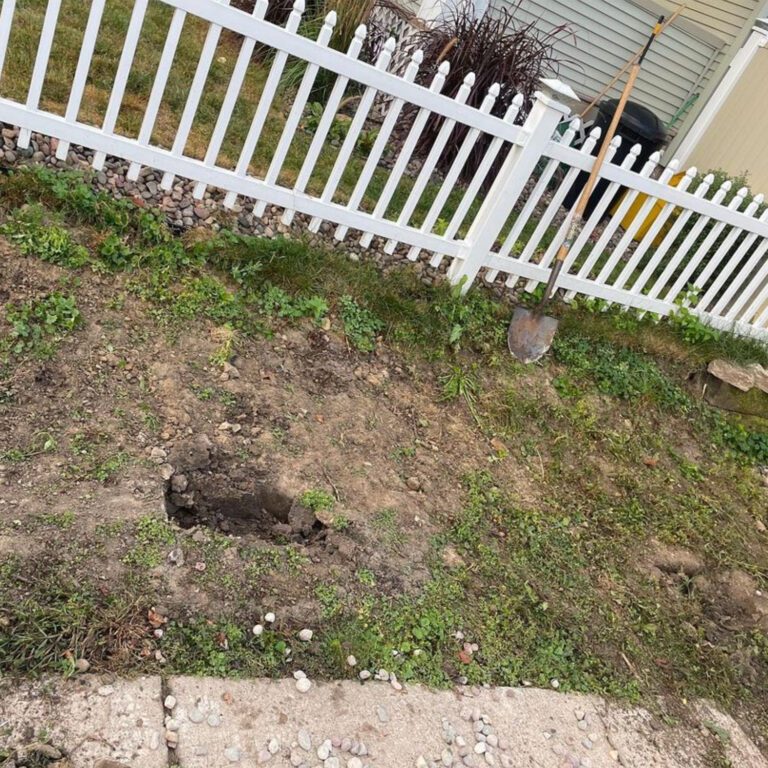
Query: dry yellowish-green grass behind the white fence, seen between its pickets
x: 21, y: 55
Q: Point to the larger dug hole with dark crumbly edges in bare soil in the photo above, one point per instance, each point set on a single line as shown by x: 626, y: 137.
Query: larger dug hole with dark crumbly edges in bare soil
x: 246, y: 507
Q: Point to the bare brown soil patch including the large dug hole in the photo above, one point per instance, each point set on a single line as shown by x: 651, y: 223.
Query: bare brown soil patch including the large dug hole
x: 296, y: 412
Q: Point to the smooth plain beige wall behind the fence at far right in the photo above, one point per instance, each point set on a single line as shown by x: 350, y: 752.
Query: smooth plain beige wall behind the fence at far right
x: 737, y: 139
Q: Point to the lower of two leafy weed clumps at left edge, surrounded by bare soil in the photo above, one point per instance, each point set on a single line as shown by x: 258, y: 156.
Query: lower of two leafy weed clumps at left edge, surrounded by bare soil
x: 38, y: 325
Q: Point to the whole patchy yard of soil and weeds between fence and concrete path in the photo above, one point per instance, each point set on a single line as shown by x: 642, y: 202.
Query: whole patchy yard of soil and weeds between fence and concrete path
x: 359, y: 454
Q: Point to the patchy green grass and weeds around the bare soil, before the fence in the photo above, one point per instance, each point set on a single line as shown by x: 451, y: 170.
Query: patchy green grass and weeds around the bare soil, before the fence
x: 549, y: 585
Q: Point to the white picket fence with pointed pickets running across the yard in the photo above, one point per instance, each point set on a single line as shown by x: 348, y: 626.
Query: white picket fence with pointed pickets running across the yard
x: 488, y: 234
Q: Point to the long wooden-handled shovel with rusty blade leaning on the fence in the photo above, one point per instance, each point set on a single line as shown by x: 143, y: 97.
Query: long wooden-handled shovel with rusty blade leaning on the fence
x: 531, y: 332
